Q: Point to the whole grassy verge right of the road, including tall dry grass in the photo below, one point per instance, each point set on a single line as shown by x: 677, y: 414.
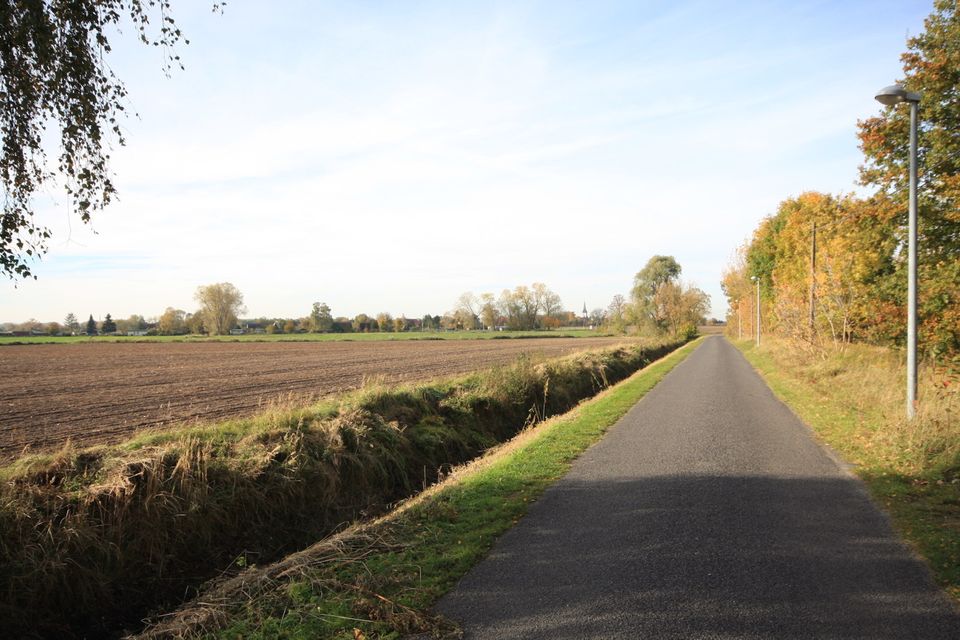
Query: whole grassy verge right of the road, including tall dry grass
x: 854, y: 400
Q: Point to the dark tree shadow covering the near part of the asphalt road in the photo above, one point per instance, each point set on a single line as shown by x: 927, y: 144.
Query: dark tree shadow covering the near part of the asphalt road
x: 702, y: 556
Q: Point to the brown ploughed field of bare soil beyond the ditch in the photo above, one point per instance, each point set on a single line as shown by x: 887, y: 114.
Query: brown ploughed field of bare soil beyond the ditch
x: 101, y: 393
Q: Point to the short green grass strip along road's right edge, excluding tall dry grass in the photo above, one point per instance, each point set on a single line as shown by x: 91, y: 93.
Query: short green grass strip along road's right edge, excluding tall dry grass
x: 925, y: 512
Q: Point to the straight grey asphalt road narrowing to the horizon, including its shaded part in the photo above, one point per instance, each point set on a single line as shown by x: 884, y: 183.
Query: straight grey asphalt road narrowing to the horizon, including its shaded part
x: 707, y: 512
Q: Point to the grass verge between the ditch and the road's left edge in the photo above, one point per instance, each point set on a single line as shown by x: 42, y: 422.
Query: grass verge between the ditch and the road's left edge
x: 379, y: 580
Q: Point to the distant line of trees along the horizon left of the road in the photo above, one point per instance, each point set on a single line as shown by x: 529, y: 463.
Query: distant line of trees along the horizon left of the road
x: 659, y: 304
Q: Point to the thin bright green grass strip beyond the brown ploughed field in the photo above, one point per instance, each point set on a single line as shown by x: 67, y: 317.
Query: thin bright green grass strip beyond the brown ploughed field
x: 313, y: 337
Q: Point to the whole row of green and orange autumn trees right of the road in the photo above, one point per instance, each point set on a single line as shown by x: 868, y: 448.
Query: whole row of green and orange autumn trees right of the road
x: 833, y: 268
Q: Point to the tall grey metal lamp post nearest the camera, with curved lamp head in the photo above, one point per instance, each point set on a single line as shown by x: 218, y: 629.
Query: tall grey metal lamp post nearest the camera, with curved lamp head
x: 891, y: 96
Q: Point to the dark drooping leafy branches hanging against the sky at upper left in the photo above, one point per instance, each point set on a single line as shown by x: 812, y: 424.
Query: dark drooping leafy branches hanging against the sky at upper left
x: 55, y: 78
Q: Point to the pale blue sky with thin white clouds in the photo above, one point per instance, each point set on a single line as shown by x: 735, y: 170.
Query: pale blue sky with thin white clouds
x: 388, y: 156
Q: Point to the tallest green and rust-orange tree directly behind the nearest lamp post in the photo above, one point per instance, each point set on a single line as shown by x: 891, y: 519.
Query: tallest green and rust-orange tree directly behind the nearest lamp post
x: 932, y: 67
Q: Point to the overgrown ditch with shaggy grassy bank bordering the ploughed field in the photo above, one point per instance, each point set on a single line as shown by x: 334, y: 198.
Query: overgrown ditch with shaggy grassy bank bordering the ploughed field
x: 93, y: 539
